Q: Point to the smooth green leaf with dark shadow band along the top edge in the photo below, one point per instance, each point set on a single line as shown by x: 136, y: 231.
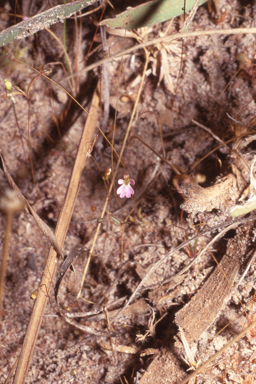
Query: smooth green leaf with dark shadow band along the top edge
x: 150, y: 13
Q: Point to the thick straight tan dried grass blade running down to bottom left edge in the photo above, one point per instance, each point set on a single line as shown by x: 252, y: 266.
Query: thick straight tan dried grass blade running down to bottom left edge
x: 61, y: 230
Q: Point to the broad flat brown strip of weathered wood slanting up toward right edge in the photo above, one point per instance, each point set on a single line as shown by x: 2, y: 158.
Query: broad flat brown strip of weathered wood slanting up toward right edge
x: 196, y: 316
